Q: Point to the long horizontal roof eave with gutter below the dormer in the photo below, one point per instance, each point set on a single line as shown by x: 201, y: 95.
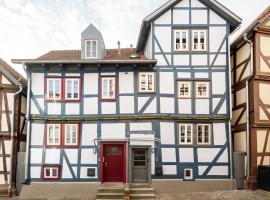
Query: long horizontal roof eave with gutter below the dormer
x: 34, y: 61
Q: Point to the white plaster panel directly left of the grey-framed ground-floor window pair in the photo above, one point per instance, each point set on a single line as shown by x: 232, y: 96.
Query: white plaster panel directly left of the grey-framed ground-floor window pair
x: 167, y: 133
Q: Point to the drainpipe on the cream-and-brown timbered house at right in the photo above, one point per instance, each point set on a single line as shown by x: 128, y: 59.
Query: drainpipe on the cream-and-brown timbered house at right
x: 247, y: 103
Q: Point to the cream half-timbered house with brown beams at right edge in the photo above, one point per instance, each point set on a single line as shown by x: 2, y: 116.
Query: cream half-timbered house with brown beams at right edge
x: 250, y: 78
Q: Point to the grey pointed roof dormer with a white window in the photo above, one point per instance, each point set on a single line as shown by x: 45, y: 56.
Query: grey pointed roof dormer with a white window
x: 92, y: 44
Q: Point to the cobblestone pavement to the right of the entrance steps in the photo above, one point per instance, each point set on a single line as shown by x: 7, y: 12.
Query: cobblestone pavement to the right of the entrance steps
x: 224, y: 195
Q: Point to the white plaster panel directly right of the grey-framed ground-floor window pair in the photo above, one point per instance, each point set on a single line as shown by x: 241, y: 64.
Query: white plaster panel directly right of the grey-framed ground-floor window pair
x: 219, y: 133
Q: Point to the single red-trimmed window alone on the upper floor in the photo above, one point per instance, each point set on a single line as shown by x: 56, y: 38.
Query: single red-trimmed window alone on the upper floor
x: 107, y: 96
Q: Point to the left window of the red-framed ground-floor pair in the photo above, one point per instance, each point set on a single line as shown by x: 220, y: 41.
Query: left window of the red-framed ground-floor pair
x: 53, y: 134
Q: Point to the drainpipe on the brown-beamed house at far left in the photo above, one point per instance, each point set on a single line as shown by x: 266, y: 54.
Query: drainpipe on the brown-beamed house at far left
x: 11, y: 183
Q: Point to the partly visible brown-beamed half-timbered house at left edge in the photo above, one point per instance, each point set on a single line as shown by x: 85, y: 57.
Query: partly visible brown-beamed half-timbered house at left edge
x: 12, y: 118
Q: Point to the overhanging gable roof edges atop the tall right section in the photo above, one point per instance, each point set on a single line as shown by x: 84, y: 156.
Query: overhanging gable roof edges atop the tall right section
x: 233, y: 19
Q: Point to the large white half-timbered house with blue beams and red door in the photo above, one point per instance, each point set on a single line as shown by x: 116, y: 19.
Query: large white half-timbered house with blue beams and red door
x: 106, y: 115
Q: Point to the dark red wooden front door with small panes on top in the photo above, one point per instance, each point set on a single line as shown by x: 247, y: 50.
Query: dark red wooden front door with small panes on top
x: 113, y: 162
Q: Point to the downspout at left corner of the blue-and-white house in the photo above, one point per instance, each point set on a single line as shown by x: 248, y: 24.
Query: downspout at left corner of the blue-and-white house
x: 28, y: 127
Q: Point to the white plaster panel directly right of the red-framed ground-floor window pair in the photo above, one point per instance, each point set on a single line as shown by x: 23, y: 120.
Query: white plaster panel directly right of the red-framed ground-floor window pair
x: 89, y: 133
